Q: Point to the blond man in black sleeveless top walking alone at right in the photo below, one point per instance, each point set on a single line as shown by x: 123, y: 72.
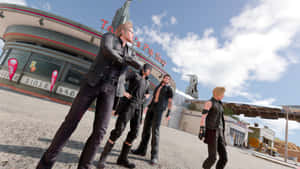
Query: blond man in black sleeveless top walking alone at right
x: 213, y: 113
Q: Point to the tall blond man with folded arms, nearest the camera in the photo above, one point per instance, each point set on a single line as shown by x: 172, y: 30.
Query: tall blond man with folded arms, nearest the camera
x: 113, y: 57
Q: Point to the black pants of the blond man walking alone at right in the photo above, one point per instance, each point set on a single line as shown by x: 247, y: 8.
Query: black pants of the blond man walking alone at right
x: 216, y: 143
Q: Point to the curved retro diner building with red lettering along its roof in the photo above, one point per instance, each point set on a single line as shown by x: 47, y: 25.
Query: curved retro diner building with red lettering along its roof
x: 43, y: 42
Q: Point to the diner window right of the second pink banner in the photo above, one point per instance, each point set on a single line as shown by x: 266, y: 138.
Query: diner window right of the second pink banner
x: 75, y: 75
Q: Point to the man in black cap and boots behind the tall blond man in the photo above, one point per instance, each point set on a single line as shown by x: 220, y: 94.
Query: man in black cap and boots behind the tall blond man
x: 129, y: 109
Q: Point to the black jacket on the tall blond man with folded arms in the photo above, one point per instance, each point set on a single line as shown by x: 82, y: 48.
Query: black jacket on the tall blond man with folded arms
x: 111, y: 61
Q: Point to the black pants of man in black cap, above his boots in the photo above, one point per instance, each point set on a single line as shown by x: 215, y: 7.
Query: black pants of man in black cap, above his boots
x: 132, y: 114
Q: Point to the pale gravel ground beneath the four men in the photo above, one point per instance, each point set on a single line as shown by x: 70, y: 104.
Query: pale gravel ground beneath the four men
x: 28, y: 125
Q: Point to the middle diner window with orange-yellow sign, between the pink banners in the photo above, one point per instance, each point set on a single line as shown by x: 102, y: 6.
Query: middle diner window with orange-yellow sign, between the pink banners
x: 42, y: 65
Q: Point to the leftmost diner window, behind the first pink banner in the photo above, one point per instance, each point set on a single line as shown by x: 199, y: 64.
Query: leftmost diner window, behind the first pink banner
x: 21, y: 55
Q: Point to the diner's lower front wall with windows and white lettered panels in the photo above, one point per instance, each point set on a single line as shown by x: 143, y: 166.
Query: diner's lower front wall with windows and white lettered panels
x: 36, y: 65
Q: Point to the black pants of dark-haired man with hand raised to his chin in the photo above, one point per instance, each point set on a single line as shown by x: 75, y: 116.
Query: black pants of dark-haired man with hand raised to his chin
x: 151, y: 123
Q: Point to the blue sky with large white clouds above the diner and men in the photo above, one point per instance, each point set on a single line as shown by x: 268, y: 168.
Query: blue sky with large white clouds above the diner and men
x: 249, y: 46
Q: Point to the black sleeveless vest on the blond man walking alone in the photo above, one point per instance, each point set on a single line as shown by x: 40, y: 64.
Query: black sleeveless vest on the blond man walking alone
x: 215, y: 115
